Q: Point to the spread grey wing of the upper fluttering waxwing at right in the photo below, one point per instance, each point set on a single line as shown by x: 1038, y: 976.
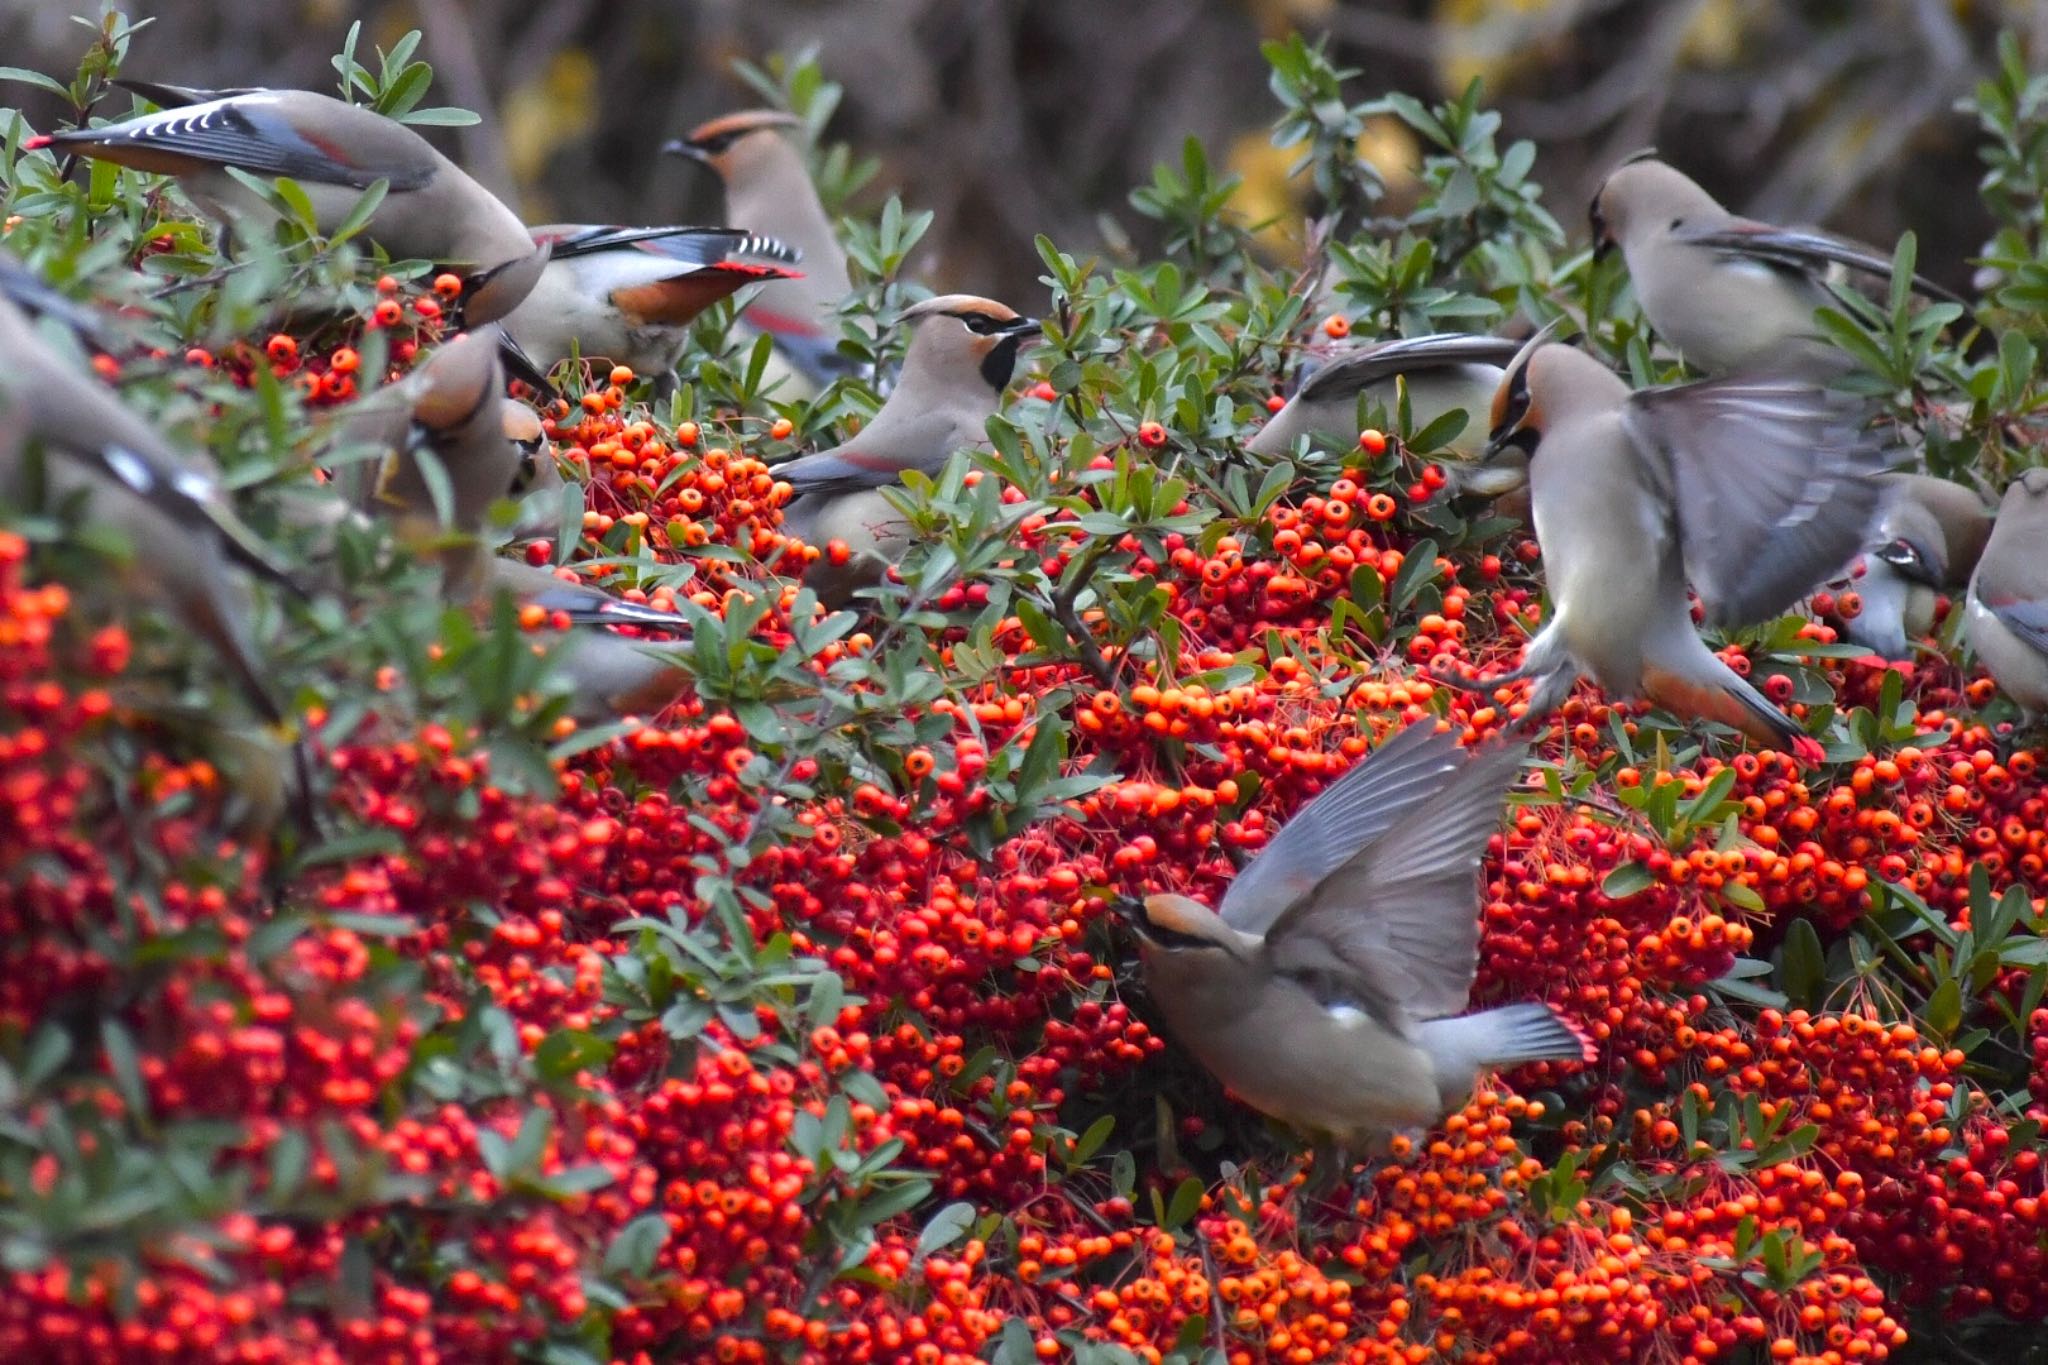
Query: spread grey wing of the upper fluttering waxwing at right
x: 1773, y: 482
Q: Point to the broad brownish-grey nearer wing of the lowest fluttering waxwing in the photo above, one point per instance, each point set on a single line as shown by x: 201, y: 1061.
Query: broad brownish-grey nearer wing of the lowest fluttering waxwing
x: 1402, y: 914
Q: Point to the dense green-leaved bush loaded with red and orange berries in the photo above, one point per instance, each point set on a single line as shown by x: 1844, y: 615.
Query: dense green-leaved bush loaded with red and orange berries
x: 794, y: 1024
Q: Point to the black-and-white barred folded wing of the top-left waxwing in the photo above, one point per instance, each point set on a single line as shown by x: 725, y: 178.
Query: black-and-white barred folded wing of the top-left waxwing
x: 251, y: 134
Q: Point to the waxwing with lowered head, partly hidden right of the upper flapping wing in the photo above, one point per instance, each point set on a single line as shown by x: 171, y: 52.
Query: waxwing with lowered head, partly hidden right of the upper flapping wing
x: 1928, y: 539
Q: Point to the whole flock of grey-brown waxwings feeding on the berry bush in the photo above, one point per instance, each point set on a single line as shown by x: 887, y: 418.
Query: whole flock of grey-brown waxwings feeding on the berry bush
x: 1330, y: 987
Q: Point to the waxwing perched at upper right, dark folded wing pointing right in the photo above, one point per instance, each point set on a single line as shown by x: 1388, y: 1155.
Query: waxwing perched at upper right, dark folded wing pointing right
x: 1727, y: 292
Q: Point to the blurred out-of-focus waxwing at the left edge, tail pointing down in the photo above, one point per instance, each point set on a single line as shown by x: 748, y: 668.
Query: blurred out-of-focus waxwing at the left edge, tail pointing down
x: 187, y: 547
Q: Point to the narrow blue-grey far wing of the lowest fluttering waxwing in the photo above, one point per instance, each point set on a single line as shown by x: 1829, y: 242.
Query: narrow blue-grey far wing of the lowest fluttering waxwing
x: 1345, y: 818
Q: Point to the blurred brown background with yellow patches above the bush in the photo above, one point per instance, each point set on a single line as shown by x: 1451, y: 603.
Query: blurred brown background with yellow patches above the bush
x: 1013, y: 118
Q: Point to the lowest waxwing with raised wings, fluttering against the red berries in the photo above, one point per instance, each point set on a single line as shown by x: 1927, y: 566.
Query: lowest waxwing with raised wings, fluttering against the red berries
x: 1330, y: 987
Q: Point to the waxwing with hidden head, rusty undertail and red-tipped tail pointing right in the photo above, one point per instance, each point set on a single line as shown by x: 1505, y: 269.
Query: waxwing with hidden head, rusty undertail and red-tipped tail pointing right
x: 630, y: 294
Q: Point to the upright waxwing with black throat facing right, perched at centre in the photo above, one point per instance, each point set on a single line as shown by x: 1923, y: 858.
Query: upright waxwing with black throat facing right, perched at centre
x: 962, y: 355
